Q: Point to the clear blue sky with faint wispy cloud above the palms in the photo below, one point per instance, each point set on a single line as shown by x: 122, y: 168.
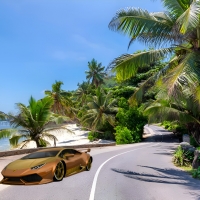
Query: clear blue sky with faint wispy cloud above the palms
x: 43, y: 41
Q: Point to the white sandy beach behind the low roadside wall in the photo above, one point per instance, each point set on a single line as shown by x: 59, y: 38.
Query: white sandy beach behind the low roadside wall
x: 69, y: 135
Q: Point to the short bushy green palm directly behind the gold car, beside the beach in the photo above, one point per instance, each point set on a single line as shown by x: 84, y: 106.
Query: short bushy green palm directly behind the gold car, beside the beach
x: 31, y: 123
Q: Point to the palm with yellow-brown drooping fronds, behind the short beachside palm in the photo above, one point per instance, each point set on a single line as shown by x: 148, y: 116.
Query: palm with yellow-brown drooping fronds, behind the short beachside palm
x: 62, y: 103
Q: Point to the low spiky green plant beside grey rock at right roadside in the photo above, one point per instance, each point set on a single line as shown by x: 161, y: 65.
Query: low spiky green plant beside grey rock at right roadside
x: 182, y: 158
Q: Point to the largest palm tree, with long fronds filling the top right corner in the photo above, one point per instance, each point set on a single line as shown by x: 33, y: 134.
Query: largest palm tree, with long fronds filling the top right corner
x: 175, y: 32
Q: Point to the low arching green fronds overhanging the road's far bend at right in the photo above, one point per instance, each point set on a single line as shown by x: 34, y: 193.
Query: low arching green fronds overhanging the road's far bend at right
x: 184, y: 110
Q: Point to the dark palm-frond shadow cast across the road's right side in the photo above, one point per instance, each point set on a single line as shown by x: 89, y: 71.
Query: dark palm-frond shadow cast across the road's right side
x: 160, y: 175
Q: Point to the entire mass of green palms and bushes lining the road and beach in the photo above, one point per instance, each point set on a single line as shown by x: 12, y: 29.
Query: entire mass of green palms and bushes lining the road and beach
x: 160, y: 84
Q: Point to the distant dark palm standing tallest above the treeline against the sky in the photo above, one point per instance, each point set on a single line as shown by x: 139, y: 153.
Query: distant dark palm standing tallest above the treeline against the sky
x: 96, y: 73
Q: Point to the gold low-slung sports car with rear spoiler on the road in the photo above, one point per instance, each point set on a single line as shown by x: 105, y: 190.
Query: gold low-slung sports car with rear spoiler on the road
x: 45, y: 166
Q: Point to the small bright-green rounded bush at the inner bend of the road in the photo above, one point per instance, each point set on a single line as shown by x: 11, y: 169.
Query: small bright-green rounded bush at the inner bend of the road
x: 123, y: 135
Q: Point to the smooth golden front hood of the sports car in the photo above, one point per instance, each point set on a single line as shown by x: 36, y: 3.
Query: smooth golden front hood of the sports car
x: 28, y: 163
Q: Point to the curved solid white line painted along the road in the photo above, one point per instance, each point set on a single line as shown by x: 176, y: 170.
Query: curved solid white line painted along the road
x: 92, y: 192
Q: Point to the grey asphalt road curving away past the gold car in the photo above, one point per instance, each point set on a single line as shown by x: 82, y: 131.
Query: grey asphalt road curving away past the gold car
x: 141, y: 171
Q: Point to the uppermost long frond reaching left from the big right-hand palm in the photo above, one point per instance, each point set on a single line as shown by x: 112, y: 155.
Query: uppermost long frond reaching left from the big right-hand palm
x: 136, y: 23
